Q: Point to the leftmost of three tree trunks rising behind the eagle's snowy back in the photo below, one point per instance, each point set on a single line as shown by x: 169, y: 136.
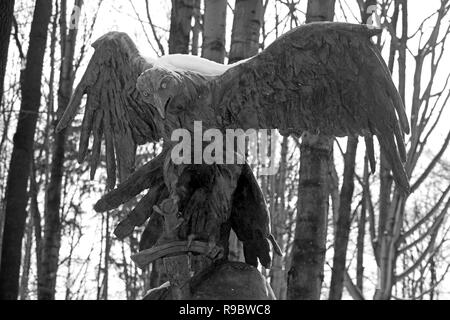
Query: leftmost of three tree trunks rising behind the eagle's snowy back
x: 180, y: 26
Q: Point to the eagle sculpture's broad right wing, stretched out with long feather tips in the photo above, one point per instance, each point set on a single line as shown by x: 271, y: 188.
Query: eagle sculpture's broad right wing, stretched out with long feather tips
x: 326, y: 78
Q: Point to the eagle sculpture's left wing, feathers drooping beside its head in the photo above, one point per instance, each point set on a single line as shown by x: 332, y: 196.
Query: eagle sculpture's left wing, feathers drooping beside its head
x: 114, y: 108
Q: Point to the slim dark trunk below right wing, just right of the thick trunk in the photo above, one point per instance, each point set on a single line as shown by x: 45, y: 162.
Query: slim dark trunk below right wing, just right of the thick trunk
x: 343, y: 221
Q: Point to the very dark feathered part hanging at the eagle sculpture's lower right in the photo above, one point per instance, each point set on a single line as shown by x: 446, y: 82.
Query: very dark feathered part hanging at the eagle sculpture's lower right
x: 250, y: 220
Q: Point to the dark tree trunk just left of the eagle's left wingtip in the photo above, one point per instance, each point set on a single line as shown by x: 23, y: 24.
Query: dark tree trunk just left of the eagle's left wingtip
x: 52, y: 227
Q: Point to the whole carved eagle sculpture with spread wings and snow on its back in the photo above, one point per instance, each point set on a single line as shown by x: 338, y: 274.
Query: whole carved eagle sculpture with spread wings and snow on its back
x: 326, y: 78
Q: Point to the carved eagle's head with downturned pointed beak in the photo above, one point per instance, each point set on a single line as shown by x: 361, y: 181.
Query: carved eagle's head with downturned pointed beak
x: 158, y: 86
